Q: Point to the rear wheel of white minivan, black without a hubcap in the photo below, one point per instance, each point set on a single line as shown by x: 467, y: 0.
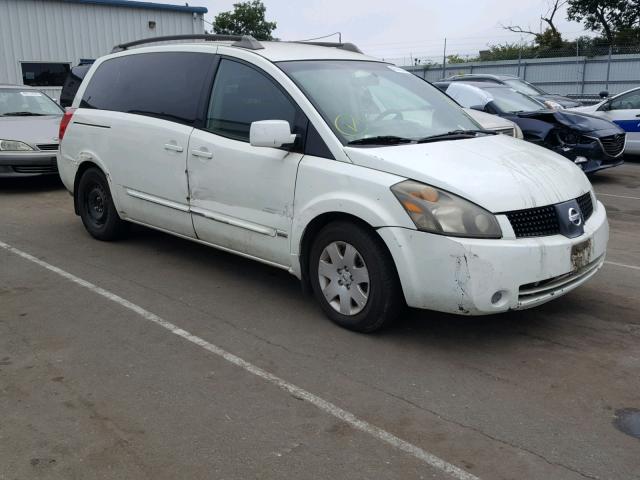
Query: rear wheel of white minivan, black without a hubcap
x: 96, y: 207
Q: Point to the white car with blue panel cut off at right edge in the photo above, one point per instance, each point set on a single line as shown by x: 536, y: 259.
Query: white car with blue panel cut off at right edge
x: 624, y: 110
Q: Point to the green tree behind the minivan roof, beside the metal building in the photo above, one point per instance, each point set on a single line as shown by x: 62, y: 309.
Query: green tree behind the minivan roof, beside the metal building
x: 247, y: 18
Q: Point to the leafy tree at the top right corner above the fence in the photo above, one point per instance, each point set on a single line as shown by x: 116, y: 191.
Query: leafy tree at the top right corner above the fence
x: 610, y: 18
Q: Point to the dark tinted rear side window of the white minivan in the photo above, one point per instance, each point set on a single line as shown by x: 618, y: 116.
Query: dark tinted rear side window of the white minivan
x: 162, y: 85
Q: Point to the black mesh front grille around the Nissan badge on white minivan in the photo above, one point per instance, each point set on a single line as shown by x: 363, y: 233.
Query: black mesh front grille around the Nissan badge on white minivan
x: 543, y: 221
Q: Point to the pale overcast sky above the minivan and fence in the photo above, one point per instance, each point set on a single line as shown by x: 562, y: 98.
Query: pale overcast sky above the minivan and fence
x: 398, y: 29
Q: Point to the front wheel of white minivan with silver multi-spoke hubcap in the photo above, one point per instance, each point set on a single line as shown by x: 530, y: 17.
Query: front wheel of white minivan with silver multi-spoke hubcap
x: 370, y: 280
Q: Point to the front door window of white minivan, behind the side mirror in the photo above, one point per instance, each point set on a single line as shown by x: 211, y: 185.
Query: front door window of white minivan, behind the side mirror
x: 242, y: 95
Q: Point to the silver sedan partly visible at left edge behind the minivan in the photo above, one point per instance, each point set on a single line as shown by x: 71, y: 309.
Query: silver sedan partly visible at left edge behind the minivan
x: 29, y: 122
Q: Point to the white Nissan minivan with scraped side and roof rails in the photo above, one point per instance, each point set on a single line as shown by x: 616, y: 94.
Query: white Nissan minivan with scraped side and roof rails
x: 371, y: 186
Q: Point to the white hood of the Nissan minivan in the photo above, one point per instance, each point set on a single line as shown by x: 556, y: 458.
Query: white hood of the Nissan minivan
x: 496, y: 172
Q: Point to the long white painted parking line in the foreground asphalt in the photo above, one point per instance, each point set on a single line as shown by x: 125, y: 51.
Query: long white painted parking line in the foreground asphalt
x: 300, y: 393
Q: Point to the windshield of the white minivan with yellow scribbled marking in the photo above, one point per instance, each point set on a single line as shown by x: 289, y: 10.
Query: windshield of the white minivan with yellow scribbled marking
x: 361, y: 100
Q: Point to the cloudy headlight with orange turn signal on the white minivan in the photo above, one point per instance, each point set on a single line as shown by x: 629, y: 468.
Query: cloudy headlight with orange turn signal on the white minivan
x: 436, y: 211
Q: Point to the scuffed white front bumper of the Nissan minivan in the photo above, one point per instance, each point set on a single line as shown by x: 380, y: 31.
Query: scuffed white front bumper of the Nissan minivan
x: 480, y: 277
